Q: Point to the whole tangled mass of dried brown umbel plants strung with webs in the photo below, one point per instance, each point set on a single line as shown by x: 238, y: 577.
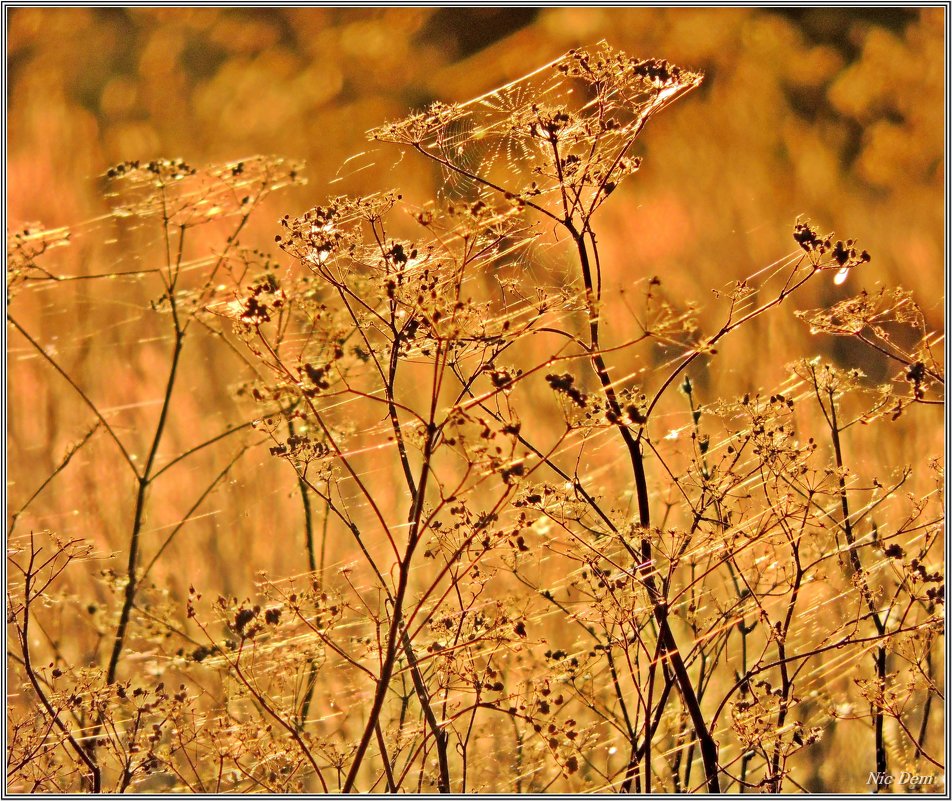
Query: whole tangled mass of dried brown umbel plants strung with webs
x: 567, y: 570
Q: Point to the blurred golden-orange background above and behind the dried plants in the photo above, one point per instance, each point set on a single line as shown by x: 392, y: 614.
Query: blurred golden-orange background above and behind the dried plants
x: 835, y: 115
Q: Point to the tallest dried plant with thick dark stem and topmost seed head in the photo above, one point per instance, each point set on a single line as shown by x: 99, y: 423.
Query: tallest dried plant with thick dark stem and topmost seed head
x: 582, y: 175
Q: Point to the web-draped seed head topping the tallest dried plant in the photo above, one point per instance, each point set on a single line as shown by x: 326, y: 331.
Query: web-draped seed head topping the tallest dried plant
x: 557, y: 139
